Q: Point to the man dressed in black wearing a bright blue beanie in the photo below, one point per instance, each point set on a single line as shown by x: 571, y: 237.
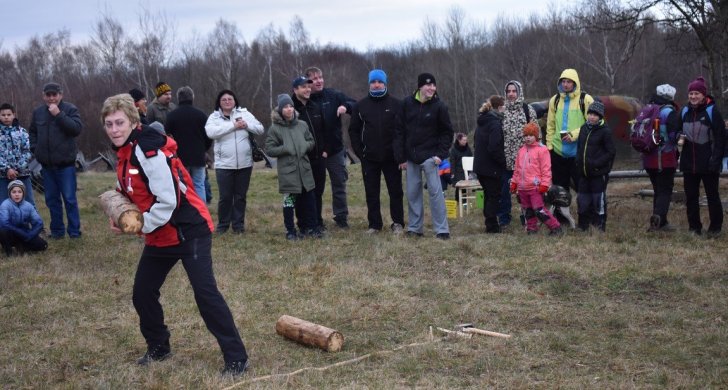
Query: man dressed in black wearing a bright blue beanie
x: 372, y: 128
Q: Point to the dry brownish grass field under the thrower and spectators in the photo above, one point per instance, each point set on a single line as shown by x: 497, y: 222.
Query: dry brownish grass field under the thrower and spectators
x: 625, y: 309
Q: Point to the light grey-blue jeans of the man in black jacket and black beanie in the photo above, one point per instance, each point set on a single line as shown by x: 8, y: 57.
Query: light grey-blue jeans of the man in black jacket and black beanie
x: 415, y: 197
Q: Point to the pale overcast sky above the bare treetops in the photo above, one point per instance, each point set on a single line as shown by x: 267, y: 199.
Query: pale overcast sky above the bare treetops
x: 358, y: 24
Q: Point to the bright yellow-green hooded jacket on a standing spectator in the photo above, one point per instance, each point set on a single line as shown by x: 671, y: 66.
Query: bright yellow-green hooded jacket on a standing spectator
x: 567, y: 117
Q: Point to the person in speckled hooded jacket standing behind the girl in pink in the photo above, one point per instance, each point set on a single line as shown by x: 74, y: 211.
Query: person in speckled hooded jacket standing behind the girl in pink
x: 515, y: 116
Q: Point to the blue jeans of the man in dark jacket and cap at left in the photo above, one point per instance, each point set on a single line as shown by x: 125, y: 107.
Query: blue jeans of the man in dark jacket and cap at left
x: 60, y: 184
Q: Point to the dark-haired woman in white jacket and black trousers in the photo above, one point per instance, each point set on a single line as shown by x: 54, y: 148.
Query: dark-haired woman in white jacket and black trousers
x: 231, y: 127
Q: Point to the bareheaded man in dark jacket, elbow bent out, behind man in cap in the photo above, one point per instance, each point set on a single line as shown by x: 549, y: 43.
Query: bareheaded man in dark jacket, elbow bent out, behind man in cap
x: 333, y: 104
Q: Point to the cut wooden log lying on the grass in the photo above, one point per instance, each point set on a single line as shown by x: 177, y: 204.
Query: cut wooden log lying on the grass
x: 309, y: 333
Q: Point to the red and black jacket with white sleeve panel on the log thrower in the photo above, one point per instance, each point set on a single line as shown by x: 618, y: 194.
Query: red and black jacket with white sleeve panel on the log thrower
x: 151, y: 175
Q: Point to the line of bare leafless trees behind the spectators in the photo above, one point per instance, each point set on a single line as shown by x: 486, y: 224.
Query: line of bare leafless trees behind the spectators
x: 618, y: 47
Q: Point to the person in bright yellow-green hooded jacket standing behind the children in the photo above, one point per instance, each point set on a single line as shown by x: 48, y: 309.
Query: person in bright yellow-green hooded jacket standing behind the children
x: 567, y: 112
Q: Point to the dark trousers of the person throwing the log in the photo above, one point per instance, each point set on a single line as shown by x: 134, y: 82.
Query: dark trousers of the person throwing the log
x: 154, y: 265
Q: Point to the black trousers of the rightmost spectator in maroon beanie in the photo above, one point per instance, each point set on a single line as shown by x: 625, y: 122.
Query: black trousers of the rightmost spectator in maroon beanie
x: 692, y: 195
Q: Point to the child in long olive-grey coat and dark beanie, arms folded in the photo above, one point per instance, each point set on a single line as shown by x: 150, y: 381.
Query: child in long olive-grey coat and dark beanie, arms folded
x: 290, y: 141
